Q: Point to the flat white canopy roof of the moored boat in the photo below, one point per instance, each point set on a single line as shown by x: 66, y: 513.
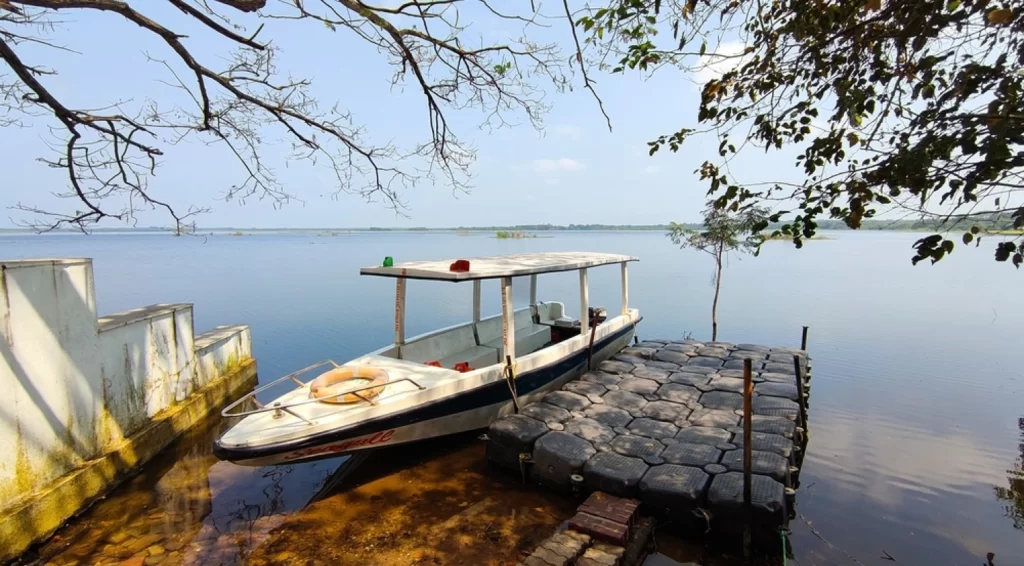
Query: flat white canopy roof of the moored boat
x: 497, y: 267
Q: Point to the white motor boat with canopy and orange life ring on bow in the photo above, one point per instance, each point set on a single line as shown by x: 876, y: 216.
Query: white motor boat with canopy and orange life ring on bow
x: 445, y: 382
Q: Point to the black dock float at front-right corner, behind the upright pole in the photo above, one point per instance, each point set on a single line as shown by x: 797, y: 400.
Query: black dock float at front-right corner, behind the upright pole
x: 727, y: 501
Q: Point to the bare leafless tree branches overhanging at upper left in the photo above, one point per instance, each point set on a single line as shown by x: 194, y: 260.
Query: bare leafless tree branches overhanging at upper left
x: 109, y: 164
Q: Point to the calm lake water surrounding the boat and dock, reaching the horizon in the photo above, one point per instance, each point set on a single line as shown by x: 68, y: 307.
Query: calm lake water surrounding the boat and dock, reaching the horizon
x: 917, y: 404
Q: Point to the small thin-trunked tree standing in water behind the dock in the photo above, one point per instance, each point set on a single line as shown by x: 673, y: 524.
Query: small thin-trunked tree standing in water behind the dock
x: 723, y: 233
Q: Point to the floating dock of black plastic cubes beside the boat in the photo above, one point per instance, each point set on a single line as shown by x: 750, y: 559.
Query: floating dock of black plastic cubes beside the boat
x: 662, y: 422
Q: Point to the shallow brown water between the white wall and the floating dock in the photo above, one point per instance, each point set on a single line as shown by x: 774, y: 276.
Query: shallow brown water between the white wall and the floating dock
x: 435, y: 504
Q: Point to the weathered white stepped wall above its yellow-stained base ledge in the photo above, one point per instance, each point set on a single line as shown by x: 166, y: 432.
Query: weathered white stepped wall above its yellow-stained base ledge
x: 72, y: 386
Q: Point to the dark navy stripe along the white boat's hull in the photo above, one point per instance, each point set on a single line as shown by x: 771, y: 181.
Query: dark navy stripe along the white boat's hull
x: 489, y: 395
